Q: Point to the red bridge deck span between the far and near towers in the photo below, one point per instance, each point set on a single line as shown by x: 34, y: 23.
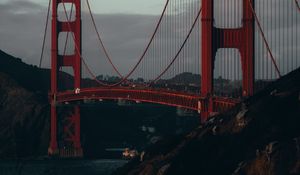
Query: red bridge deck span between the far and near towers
x: 152, y: 96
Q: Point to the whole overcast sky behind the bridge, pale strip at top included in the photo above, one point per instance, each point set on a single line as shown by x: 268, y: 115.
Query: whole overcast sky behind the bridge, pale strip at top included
x: 126, y: 26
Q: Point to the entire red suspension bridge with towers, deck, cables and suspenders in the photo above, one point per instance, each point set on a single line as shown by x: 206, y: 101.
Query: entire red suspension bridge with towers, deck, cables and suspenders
x: 234, y: 47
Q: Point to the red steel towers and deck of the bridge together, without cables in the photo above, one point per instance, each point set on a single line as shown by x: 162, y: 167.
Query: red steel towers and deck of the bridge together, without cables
x: 204, y: 103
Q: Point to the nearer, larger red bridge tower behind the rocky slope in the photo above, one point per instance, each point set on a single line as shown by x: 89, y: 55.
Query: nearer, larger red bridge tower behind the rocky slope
x: 241, y: 38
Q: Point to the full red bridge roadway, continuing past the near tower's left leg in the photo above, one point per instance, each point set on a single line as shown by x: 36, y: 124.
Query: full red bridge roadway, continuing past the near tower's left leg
x: 158, y: 96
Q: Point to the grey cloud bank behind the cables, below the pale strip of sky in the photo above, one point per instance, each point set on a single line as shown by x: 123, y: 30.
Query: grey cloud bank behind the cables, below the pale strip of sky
x: 126, y: 35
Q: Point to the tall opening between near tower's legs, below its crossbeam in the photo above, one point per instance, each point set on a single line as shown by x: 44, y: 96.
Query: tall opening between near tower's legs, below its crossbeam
x: 228, y: 73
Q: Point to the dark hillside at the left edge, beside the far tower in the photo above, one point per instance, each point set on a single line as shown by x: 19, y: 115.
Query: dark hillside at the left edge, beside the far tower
x: 23, y: 121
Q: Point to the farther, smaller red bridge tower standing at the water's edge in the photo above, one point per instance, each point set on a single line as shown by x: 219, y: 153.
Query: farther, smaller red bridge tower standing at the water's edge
x: 58, y: 61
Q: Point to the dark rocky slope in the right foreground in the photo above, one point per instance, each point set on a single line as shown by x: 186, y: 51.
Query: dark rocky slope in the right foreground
x: 260, y: 136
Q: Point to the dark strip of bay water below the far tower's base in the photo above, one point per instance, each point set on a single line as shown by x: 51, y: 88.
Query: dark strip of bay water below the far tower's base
x: 59, y: 167
